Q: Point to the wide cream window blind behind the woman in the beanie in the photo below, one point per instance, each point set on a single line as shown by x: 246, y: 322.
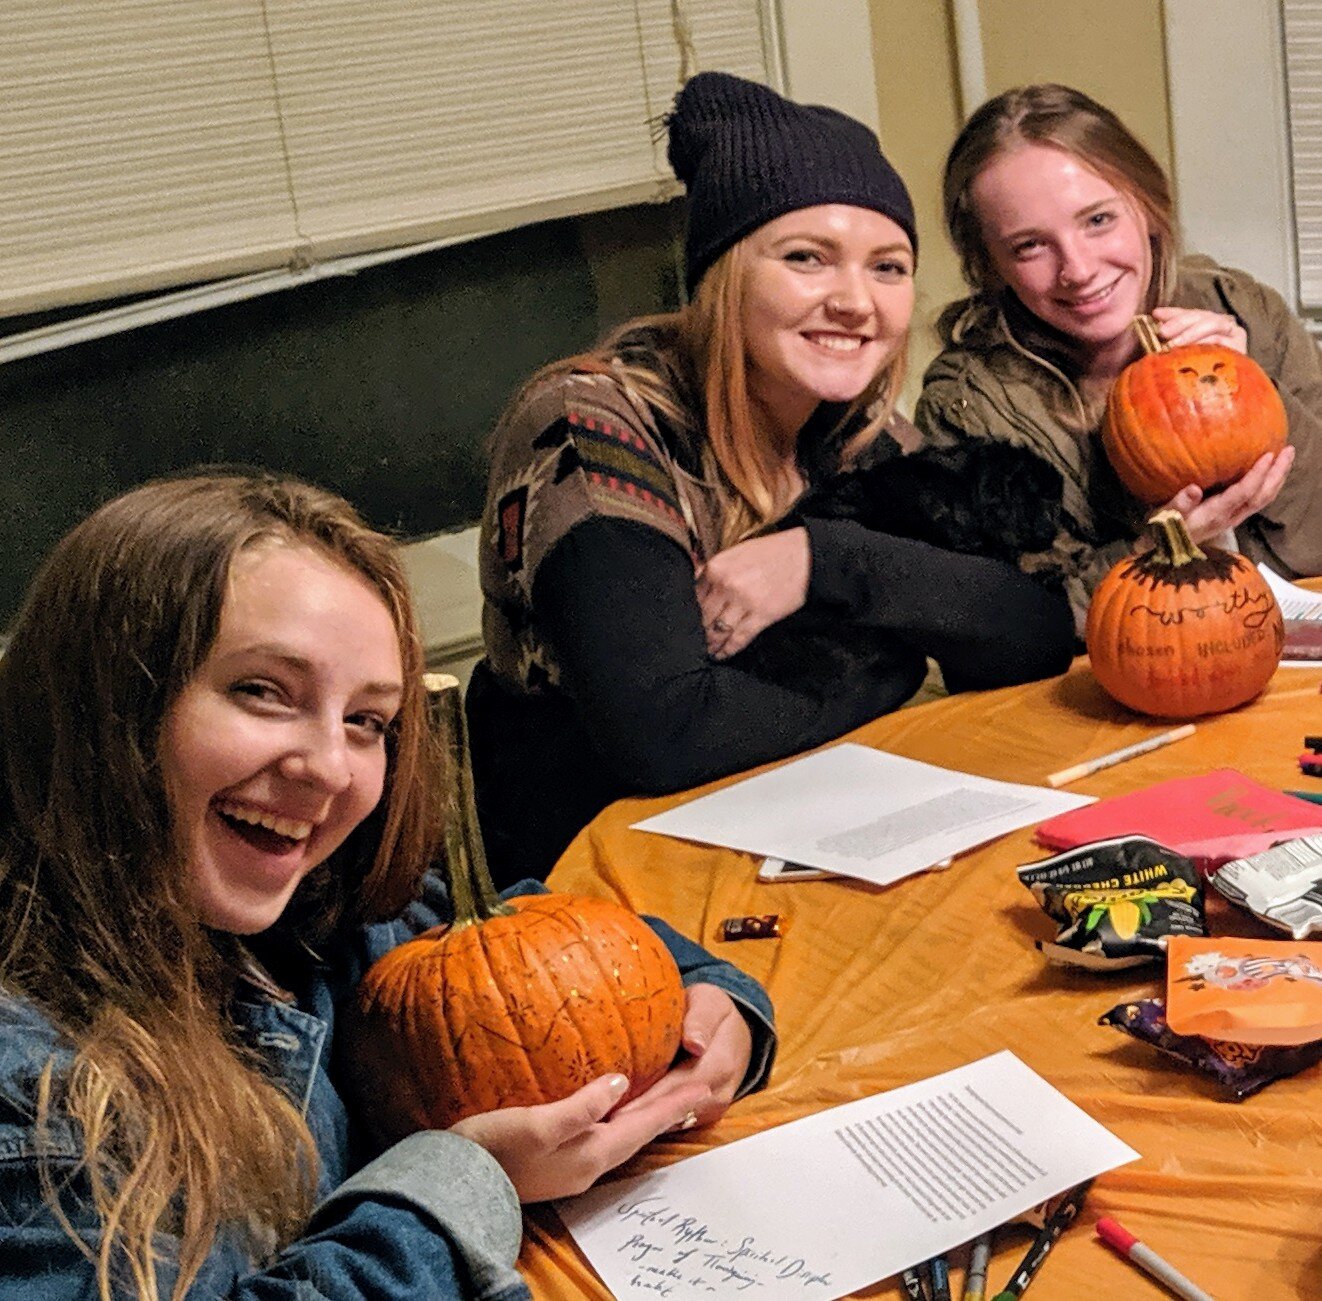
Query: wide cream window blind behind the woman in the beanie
x: 155, y: 143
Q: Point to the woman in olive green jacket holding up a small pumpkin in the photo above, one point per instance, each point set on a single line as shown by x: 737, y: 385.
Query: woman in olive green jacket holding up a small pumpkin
x: 1065, y: 227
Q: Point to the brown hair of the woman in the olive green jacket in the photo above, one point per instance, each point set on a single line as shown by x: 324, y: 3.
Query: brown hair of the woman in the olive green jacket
x: 1066, y: 120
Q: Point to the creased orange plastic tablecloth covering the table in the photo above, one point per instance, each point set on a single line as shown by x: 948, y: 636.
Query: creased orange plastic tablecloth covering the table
x: 880, y: 987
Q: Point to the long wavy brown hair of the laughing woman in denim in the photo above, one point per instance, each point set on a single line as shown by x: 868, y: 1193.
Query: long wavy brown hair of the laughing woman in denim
x: 183, y: 1132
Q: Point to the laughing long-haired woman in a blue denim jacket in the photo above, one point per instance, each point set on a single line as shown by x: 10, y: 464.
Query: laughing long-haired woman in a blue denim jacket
x: 217, y: 806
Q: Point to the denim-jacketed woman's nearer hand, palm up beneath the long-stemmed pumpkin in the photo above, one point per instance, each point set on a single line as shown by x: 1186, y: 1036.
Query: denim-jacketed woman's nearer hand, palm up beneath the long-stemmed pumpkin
x: 560, y: 1150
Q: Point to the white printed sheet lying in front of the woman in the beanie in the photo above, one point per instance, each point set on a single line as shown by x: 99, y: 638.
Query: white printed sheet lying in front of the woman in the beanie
x: 861, y: 812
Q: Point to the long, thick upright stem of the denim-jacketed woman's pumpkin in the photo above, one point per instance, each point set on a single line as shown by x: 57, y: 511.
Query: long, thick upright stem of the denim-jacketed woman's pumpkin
x: 471, y: 890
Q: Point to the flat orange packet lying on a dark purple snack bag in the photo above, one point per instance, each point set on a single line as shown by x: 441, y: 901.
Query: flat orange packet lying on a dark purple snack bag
x: 1245, y: 991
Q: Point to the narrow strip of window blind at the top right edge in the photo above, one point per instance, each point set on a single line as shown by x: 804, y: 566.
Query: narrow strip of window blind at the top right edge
x: 1303, y: 31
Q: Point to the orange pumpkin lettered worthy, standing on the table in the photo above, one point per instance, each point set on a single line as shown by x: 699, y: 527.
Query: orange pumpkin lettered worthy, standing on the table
x: 1180, y: 633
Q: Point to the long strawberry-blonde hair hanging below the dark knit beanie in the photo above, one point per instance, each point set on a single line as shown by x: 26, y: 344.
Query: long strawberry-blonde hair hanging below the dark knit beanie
x: 692, y: 368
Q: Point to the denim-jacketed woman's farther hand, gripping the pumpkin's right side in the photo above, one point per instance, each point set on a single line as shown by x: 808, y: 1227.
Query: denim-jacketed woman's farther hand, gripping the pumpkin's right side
x: 717, y: 1048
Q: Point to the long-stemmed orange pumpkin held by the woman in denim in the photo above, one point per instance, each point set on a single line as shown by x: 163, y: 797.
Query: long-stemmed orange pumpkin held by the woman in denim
x: 514, y: 1004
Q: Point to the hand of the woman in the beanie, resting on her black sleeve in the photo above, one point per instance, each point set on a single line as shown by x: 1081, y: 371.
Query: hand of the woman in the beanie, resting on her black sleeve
x: 750, y: 586
